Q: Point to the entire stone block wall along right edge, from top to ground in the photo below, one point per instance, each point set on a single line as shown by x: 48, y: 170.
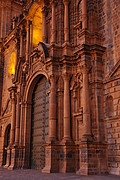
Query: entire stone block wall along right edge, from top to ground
x: 109, y: 27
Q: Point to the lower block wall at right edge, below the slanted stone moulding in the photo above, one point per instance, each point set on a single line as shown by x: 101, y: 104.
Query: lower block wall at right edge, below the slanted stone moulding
x: 112, y: 123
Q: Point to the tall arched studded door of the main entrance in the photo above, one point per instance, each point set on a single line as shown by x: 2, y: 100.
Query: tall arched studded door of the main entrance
x: 39, y: 123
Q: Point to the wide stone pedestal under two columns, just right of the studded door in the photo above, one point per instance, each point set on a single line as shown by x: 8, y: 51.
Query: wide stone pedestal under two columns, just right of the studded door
x: 60, y: 157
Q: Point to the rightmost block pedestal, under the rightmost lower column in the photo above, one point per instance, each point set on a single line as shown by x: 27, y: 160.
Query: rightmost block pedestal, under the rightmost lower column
x: 92, y: 157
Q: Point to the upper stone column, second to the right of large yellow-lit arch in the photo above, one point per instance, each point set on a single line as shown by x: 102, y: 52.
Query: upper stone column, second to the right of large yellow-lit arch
x: 53, y: 33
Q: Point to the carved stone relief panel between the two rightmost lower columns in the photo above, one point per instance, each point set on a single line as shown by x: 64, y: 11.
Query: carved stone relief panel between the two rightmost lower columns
x: 76, y: 106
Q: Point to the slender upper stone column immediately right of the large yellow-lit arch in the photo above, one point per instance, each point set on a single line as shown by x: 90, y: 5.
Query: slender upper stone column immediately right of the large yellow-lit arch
x: 43, y: 24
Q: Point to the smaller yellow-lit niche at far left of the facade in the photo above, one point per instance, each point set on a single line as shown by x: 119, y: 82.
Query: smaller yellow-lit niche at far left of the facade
x: 11, y: 65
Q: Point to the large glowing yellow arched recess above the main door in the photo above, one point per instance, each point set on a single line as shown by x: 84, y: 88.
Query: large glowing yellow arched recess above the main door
x: 37, y: 27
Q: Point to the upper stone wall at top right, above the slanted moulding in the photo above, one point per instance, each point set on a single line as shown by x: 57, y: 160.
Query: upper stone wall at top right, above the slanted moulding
x: 109, y: 26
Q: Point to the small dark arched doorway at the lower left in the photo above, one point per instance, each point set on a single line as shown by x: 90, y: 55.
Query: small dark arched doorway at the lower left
x: 6, y: 143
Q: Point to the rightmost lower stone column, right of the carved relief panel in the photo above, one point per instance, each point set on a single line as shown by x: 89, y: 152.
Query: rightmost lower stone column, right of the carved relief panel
x: 86, y: 106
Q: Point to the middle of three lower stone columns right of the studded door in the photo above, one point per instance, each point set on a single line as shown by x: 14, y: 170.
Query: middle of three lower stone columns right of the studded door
x: 66, y: 78
